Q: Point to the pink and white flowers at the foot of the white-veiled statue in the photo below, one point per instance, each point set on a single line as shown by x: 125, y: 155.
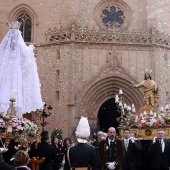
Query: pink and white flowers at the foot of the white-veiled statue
x: 20, y: 126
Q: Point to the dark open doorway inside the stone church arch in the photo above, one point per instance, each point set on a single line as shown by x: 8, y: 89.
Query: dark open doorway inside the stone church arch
x: 107, y: 115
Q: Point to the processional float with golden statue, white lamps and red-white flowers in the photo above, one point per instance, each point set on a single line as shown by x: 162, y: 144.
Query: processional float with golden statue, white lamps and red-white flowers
x: 149, y: 118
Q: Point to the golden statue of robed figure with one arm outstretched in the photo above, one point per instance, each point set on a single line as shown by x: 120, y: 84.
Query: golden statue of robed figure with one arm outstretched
x: 151, y: 93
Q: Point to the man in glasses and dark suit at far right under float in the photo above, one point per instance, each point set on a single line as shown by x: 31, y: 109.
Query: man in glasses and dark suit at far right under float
x: 159, y: 151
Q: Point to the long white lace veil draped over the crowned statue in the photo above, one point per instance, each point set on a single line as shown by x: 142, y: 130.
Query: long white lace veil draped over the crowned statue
x: 18, y: 71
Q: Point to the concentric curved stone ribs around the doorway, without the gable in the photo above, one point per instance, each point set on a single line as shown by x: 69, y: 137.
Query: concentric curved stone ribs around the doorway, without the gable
x: 105, y: 89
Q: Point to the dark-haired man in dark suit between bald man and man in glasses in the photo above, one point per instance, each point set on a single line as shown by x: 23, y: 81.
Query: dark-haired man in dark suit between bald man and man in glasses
x: 132, y: 150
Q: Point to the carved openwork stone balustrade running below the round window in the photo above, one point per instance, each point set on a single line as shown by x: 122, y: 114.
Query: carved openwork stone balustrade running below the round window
x: 78, y: 35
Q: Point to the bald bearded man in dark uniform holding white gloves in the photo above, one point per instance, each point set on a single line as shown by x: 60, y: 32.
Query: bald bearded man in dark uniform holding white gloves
x: 111, y: 152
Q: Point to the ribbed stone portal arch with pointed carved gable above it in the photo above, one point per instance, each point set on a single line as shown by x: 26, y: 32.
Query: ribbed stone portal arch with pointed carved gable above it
x: 106, y: 85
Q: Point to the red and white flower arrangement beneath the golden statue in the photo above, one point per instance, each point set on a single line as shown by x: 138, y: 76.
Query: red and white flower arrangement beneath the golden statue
x: 152, y: 120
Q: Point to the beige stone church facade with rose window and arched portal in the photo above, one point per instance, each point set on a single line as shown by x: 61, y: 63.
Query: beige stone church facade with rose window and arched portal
x: 85, y: 55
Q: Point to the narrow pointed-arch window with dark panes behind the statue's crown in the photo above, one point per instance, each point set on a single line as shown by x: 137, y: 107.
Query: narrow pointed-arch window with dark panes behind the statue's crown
x: 25, y: 26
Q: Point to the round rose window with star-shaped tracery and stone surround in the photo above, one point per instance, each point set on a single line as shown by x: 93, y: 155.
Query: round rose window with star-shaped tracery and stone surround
x: 113, y: 15
